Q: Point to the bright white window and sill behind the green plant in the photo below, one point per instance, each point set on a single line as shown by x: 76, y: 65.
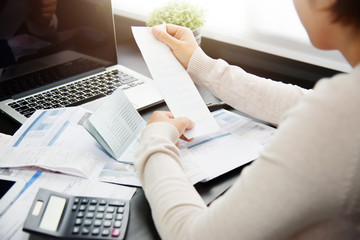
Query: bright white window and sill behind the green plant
x: 269, y: 26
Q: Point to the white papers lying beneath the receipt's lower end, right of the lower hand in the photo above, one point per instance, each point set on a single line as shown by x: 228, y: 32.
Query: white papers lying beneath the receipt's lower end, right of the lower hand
x: 239, y: 141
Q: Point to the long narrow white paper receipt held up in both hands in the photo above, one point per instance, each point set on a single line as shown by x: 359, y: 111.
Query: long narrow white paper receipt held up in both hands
x: 175, y: 84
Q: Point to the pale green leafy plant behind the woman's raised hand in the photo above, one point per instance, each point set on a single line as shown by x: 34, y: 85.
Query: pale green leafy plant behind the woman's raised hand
x: 179, y: 13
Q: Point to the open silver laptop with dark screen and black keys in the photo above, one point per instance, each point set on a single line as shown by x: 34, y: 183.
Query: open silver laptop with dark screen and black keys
x: 71, y: 61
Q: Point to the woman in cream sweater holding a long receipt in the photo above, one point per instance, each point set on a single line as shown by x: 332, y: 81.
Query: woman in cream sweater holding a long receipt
x: 306, y: 182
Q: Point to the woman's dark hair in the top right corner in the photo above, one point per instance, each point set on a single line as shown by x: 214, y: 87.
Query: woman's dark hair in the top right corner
x: 347, y: 12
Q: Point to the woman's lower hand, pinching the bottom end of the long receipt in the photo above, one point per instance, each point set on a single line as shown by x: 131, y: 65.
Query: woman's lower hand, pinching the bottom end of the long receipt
x: 181, y: 123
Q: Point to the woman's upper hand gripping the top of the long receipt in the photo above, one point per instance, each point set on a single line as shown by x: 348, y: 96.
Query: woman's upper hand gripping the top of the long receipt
x: 181, y: 41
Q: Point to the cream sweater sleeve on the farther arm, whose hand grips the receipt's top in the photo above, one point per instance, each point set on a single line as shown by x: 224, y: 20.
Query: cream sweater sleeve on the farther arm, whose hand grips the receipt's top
x: 259, y: 97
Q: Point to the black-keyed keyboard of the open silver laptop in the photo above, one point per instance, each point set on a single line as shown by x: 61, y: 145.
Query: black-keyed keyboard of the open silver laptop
x: 76, y: 93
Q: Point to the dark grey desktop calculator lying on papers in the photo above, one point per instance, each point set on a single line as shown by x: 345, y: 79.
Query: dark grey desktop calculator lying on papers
x: 77, y: 217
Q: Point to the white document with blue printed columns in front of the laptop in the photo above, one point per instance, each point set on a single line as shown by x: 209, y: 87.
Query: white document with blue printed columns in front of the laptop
x: 55, y: 140
